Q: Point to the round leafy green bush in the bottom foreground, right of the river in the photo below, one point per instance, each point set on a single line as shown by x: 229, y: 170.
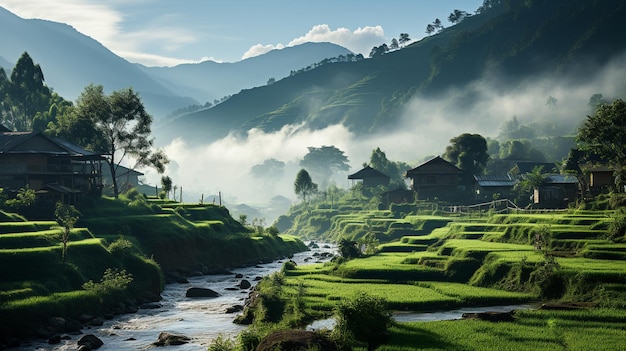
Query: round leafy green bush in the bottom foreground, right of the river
x: 363, y: 318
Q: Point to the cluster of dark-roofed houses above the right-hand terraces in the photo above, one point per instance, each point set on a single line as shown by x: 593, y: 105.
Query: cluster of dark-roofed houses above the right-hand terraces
x: 438, y: 179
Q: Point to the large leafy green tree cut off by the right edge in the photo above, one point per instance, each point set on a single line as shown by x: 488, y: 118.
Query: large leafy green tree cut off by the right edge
x: 603, y: 134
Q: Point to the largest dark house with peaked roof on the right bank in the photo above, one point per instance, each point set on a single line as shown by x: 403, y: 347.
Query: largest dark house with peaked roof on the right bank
x: 436, y: 179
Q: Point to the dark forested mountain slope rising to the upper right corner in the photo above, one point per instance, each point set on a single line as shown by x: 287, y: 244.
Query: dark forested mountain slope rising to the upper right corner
x: 509, y: 48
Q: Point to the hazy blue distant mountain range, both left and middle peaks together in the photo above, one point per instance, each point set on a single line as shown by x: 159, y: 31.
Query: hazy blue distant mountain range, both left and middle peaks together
x: 70, y: 61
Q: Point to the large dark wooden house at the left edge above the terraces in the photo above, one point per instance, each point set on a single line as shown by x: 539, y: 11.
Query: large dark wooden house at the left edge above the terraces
x: 54, y: 168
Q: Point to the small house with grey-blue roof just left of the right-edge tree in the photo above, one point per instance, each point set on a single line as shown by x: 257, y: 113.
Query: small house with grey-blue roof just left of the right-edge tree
x: 557, y: 192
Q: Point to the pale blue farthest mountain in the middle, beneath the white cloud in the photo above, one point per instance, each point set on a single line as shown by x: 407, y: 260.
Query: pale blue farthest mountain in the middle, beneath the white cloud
x: 209, y: 80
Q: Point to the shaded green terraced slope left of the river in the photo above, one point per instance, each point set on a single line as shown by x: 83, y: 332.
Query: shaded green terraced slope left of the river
x: 35, y: 283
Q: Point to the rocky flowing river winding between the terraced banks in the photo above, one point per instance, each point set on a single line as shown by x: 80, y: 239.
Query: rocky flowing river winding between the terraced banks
x: 202, y: 320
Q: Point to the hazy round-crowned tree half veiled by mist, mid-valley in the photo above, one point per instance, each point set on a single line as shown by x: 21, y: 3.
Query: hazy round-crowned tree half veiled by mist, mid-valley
x: 323, y: 162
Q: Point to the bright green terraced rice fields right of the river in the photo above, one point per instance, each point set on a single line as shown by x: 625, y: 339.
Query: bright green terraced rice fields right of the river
x: 489, y: 260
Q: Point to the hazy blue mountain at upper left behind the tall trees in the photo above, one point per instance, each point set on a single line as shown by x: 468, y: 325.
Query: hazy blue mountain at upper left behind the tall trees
x: 70, y: 61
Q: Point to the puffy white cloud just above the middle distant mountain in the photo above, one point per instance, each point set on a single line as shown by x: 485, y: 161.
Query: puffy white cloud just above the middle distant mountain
x: 360, y: 40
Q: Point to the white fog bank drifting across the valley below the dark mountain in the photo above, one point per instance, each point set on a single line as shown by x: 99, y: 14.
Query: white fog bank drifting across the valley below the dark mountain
x: 424, y: 129
